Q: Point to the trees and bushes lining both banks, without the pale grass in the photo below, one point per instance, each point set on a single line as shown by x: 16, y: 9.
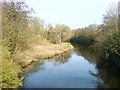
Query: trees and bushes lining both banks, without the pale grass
x: 20, y: 32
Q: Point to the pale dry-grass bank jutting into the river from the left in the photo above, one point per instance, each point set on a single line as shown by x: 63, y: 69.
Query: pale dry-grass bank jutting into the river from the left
x: 38, y: 52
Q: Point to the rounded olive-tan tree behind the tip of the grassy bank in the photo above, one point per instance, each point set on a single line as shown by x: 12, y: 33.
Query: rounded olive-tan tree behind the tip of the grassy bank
x: 58, y: 34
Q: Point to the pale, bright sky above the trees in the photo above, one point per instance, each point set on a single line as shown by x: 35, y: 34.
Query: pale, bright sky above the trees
x: 73, y: 13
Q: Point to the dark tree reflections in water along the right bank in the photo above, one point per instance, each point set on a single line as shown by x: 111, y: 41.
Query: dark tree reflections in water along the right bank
x: 107, y: 75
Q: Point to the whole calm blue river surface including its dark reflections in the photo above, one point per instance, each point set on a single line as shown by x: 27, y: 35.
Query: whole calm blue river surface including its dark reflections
x: 74, y: 69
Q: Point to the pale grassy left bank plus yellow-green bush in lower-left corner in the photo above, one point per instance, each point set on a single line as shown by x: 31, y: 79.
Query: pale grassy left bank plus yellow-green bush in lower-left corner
x: 12, y: 67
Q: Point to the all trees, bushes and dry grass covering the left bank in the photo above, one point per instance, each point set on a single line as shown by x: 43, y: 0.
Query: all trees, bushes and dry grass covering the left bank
x: 25, y: 40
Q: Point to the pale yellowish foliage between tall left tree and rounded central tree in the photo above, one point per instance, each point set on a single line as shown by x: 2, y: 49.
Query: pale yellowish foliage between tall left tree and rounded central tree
x: 37, y: 34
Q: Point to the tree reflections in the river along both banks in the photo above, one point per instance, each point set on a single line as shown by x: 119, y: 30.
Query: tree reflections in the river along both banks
x: 107, y: 75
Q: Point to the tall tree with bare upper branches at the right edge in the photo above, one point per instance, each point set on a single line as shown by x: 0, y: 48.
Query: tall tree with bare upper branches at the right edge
x: 113, y: 34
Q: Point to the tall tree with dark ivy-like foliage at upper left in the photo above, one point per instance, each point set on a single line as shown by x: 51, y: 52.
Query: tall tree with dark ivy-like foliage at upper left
x: 14, y: 26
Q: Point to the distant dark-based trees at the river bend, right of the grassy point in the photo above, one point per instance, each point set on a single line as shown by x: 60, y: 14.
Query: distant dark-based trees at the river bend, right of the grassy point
x: 84, y: 36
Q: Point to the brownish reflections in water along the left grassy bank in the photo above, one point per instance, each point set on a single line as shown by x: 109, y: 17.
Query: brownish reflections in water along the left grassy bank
x: 37, y: 66
